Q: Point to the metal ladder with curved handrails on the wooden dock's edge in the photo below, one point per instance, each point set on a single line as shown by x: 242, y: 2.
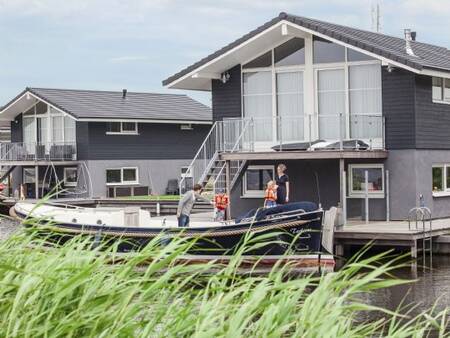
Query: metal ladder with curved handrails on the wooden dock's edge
x: 420, y: 217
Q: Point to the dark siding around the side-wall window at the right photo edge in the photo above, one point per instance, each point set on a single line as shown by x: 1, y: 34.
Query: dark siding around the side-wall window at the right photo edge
x: 432, y: 119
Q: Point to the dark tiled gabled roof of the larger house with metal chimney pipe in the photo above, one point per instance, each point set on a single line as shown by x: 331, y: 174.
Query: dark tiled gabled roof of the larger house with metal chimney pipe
x: 385, y: 46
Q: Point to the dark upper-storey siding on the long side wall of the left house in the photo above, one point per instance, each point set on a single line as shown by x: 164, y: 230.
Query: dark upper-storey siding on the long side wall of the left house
x: 155, y: 141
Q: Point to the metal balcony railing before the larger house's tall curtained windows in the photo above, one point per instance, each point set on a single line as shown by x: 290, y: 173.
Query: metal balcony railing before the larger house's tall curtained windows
x: 253, y: 134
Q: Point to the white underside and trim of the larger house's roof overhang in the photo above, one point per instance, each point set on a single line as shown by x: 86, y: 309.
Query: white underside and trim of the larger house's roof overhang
x: 199, y: 78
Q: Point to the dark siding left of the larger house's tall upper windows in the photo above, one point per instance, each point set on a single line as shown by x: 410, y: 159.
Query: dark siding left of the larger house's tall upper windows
x: 226, y: 97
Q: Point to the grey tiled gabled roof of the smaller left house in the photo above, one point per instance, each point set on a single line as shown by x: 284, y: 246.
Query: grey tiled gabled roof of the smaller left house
x: 110, y: 105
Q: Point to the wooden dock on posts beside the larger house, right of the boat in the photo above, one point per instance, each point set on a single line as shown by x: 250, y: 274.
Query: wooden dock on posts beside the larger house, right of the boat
x: 395, y: 234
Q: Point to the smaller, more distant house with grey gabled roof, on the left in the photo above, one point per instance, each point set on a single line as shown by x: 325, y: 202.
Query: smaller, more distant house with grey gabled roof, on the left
x: 99, y: 143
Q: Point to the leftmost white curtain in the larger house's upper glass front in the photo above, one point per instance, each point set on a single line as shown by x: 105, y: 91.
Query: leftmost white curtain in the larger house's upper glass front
x: 257, y: 92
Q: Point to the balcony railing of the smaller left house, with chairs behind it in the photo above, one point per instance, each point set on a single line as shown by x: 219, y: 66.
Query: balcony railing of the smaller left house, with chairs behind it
x: 53, y: 151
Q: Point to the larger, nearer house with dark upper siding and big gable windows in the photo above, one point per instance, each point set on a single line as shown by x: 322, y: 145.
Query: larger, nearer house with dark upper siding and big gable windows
x: 383, y: 101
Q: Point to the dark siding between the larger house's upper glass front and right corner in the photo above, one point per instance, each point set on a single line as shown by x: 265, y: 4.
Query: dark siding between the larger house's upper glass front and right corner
x: 398, y: 108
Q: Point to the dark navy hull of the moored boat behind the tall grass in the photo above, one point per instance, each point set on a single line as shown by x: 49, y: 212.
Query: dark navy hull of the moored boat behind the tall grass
x: 294, y: 232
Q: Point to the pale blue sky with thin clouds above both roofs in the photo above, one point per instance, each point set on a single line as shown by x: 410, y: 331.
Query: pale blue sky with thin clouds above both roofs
x: 135, y: 44
